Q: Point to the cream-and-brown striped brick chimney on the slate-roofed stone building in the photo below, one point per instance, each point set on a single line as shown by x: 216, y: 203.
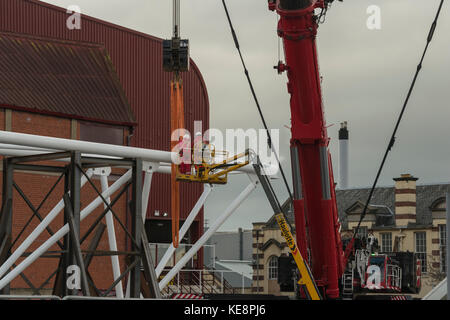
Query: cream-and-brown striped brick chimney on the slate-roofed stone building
x: 405, y: 199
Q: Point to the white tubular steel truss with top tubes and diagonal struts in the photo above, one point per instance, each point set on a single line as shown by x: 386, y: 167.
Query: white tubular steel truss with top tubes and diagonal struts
x: 154, y: 161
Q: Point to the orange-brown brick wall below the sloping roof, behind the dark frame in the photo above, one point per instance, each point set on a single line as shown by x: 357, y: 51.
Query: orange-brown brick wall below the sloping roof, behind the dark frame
x: 35, y: 186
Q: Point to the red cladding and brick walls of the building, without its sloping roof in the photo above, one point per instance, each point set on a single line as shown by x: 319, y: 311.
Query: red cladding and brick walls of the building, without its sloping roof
x: 137, y: 58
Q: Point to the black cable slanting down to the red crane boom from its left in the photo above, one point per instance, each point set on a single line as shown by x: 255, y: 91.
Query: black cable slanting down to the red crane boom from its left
x: 269, y: 140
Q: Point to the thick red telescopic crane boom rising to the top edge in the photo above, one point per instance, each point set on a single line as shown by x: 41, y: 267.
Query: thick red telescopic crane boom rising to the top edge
x: 316, y: 216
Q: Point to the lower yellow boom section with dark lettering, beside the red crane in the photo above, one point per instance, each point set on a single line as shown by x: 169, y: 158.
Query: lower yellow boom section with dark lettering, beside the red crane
x: 306, y: 278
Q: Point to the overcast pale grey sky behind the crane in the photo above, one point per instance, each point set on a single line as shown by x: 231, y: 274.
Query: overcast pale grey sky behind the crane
x: 366, y: 75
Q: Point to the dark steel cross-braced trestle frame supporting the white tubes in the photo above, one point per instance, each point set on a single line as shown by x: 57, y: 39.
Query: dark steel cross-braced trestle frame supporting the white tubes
x: 71, y: 253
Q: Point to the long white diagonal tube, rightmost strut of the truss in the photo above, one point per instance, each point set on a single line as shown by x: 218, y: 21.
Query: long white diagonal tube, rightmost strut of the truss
x: 216, y: 225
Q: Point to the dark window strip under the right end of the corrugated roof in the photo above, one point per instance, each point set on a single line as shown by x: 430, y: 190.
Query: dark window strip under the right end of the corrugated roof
x: 101, y: 133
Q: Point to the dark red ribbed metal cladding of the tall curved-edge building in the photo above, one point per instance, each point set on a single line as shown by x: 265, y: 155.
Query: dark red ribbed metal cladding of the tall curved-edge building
x: 137, y: 58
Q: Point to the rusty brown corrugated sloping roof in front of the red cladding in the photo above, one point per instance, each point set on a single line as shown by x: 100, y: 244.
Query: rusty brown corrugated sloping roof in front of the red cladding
x: 70, y: 79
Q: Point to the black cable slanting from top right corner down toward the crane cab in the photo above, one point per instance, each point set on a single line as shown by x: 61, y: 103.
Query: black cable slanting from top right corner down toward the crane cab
x: 392, y: 140
